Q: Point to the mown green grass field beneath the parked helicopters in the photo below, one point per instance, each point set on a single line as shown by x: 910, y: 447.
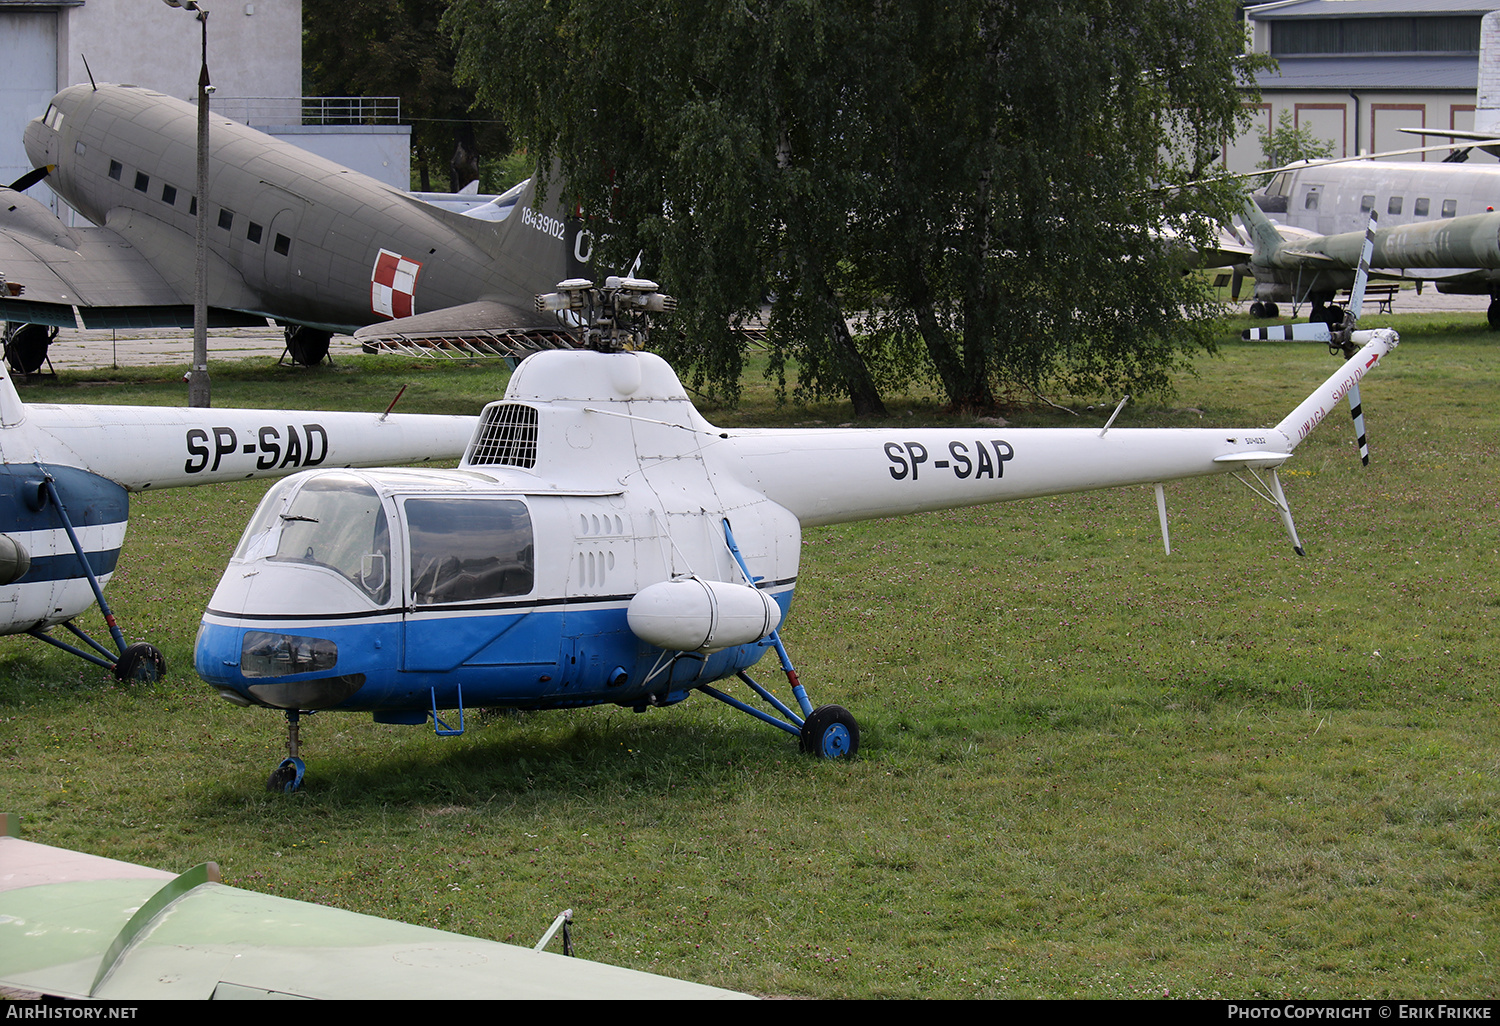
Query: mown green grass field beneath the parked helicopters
x: 1088, y: 769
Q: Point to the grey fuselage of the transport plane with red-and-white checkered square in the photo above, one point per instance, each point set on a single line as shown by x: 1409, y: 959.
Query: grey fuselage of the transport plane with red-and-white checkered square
x: 292, y: 236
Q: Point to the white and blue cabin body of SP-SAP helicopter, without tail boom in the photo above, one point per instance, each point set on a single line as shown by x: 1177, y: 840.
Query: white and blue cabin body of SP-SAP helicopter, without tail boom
x: 512, y: 581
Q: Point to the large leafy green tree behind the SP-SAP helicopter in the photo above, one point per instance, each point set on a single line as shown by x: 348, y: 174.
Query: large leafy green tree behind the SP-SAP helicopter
x: 983, y: 182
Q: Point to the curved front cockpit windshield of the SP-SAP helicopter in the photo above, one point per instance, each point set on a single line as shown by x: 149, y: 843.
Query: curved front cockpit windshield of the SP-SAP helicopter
x: 337, y: 523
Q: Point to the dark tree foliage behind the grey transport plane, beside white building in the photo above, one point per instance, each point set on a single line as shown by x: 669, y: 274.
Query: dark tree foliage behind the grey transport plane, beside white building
x: 398, y: 49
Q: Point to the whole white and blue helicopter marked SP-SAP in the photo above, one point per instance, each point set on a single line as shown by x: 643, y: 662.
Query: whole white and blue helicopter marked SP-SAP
x: 601, y: 542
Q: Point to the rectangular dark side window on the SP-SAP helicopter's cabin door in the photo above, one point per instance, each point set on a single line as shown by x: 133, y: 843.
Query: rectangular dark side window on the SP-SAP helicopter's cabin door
x: 469, y: 550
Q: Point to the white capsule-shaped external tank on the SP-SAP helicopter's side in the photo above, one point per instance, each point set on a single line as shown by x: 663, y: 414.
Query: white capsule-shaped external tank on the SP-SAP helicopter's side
x: 695, y: 616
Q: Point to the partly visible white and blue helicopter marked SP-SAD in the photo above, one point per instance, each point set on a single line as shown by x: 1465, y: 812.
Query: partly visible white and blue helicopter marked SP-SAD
x: 67, y: 473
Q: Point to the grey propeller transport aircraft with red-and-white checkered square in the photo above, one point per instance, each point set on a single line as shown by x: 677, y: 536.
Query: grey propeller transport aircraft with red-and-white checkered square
x: 293, y: 238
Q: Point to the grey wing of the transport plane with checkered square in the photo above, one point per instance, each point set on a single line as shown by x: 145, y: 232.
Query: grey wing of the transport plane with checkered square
x: 107, y: 277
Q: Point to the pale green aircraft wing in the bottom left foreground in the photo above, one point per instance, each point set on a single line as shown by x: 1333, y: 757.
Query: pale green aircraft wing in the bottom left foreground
x: 82, y: 926
